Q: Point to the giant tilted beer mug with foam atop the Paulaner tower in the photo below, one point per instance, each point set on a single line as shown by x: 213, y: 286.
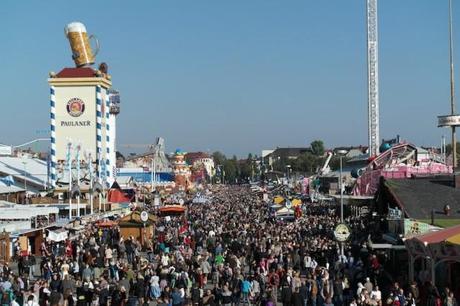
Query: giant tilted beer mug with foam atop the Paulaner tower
x: 82, y: 54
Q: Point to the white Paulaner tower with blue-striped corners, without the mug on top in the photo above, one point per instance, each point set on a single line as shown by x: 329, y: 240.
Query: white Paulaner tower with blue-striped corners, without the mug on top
x: 82, y: 116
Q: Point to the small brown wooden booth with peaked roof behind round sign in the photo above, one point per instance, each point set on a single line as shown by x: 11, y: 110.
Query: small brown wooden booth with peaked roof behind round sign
x: 139, y: 225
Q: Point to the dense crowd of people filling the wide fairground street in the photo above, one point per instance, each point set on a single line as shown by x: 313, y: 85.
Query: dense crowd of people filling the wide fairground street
x: 230, y: 250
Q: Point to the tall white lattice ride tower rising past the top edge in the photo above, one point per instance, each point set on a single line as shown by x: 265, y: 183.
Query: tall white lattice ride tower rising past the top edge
x: 372, y: 78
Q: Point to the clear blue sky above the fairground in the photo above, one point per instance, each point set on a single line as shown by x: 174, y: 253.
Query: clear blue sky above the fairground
x: 237, y: 76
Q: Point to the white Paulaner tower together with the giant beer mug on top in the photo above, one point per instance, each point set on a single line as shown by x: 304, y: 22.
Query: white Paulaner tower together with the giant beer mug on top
x: 82, y: 113
